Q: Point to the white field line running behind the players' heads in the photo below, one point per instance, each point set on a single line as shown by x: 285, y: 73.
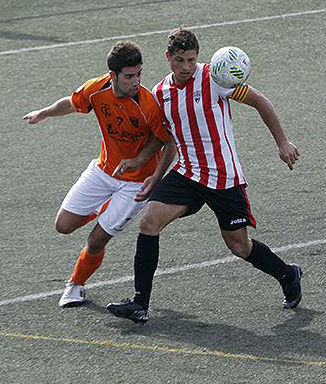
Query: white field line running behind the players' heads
x: 158, y: 32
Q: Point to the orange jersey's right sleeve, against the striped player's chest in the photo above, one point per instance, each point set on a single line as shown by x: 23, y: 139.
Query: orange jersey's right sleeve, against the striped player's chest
x: 156, y: 119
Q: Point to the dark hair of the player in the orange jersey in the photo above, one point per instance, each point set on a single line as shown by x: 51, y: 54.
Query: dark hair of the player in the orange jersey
x: 124, y: 54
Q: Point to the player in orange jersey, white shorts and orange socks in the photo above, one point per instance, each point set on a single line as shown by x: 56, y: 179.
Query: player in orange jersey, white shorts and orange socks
x: 132, y: 127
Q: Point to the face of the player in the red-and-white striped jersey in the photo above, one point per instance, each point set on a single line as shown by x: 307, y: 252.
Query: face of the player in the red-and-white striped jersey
x: 183, y: 64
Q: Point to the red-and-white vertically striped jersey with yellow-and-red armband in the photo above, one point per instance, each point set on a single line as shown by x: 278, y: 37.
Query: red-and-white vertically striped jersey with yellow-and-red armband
x: 200, y: 121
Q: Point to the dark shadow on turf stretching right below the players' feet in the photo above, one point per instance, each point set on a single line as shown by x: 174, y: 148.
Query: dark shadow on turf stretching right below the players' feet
x: 286, y: 338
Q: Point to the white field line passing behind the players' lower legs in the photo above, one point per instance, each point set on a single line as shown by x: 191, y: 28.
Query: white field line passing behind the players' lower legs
x: 159, y: 272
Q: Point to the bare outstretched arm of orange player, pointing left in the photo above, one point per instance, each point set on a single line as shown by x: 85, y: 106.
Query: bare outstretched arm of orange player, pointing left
x: 61, y: 107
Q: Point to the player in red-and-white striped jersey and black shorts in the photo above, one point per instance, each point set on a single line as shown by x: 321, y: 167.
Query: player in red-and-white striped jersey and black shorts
x: 208, y: 171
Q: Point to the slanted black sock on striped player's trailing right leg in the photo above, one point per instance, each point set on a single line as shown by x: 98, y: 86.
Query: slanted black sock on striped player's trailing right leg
x: 262, y: 258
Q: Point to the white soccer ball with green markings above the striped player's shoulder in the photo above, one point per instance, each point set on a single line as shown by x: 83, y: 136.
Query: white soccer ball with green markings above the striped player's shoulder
x: 230, y: 67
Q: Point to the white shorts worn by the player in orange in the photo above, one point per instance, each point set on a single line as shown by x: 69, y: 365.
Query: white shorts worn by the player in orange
x: 94, y: 188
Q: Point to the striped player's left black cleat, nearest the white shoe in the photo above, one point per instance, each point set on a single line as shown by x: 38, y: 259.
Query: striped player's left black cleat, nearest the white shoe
x: 129, y: 309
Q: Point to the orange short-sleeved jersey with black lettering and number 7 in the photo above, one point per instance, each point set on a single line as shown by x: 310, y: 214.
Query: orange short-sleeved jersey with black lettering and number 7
x: 126, y: 124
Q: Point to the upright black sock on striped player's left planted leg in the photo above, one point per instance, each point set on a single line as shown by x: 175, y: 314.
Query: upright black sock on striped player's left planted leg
x: 145, y: 264
